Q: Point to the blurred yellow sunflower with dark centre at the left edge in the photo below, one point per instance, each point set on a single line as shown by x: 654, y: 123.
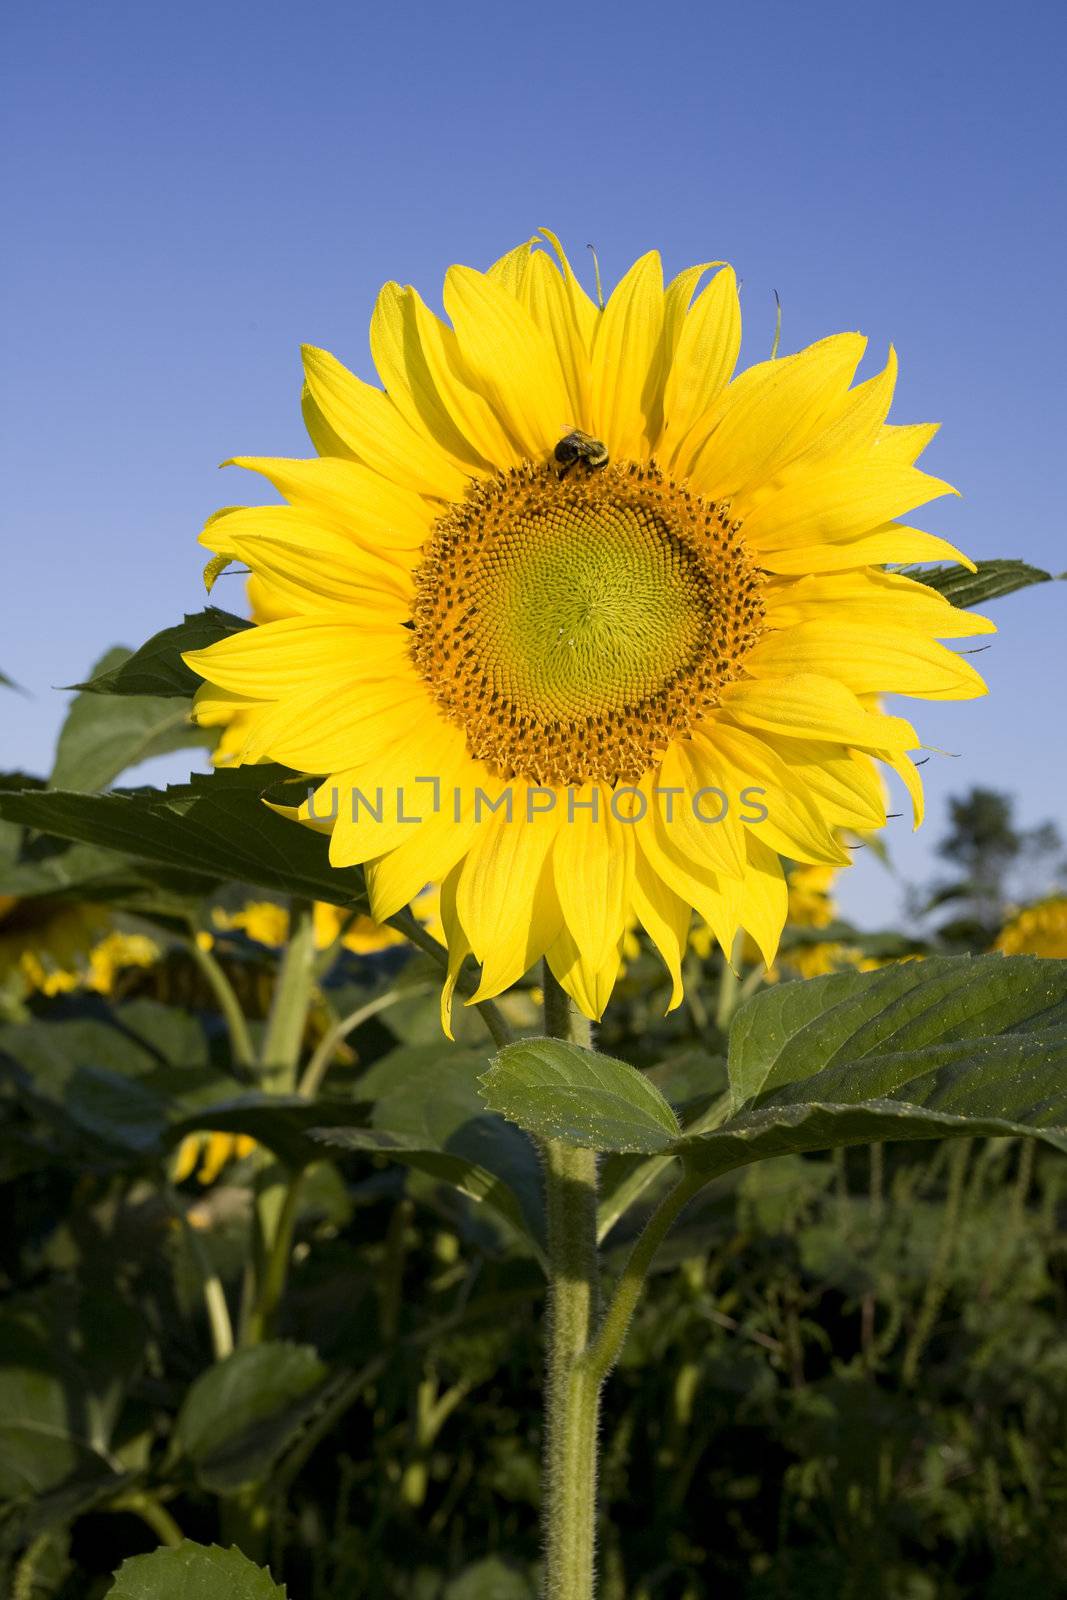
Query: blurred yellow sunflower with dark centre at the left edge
x: 57, y: 948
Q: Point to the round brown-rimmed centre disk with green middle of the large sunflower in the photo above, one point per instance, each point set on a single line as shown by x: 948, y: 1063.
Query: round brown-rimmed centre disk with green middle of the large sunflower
x: 577, y: 625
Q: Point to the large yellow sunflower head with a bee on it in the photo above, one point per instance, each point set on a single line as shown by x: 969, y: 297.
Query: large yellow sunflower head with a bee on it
x: 610, y: 623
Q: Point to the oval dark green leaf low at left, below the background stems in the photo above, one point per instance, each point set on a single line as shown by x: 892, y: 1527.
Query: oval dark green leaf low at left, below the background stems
x: 242, y: 1414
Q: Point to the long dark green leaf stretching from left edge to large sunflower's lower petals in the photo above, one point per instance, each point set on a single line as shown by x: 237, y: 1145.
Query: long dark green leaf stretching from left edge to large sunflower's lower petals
x: 217, y: 826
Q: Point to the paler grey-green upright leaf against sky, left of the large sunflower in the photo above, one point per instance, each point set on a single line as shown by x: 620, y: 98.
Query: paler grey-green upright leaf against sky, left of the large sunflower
x: 103, y: 737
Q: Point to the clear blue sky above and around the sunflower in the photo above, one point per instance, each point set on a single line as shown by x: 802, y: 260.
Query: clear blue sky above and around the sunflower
x: 193, y: 191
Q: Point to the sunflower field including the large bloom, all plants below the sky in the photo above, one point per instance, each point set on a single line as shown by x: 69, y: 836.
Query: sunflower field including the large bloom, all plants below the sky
x: 455, y: 1148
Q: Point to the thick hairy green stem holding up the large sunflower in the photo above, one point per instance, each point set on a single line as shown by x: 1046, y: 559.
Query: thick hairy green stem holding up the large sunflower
x: 572, y: 1393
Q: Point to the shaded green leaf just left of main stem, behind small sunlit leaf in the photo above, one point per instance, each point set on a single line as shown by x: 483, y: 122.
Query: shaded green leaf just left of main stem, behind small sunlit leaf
x: 430, y: 1116
